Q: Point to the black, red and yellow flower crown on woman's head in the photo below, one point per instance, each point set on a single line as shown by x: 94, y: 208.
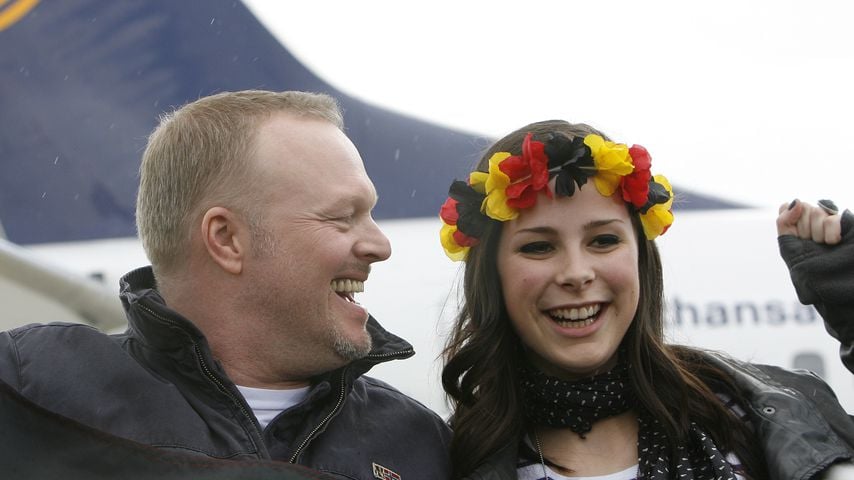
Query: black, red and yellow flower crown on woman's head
x: 513, y: 182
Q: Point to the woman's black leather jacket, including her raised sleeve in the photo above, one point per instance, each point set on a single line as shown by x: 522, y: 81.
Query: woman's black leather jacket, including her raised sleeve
x: 795, y: 415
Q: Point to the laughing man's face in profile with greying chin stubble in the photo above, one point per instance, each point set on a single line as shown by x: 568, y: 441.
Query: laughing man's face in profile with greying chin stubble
x: 320, y: 241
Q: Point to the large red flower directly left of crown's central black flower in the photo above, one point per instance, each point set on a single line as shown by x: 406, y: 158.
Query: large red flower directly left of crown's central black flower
x: 529, y: 173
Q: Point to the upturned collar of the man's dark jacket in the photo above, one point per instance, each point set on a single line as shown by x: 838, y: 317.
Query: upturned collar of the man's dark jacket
x: 155, y: 324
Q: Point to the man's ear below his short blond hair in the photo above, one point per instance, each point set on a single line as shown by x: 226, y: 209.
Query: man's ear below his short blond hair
x: 225, y: 234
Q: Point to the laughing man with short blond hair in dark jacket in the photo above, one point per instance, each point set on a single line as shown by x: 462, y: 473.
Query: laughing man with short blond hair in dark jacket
x: 245, y: 337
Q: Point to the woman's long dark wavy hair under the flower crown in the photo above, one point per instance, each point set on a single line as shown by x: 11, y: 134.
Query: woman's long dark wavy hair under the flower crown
x: 483, y: 353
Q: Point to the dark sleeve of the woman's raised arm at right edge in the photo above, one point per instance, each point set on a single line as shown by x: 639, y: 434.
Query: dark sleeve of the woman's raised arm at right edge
x: 823, y: 276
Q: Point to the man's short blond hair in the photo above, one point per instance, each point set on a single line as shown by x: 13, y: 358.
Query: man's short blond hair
x: 199, y: 157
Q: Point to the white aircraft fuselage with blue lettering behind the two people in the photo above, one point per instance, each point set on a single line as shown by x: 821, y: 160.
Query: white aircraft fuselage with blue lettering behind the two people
x: 726, y: 286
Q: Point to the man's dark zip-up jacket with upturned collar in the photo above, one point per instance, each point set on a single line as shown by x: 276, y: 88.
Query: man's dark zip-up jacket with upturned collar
x: 159, y: 385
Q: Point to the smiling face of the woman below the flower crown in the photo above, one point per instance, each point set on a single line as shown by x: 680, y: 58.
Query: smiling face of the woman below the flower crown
x: 569, y: 274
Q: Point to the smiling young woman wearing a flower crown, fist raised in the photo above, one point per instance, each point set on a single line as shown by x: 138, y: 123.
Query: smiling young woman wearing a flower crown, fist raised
x: 557, y: 366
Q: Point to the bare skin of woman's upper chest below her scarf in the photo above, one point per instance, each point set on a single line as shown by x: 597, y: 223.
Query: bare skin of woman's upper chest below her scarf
x: 611, y: 446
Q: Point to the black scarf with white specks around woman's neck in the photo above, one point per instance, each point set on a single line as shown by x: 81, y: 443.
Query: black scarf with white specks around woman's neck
x: 577, y: 405
